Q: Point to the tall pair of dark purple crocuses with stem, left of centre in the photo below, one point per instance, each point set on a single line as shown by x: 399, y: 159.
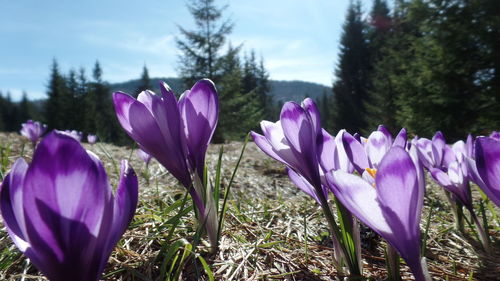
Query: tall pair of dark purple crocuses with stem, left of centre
x: 177, y: 134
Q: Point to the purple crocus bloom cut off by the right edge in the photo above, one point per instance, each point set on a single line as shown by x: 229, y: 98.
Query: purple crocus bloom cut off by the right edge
x: 485, y: 169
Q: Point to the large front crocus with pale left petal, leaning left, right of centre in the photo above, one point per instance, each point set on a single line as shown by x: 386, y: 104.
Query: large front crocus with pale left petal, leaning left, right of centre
x: 391, y: 205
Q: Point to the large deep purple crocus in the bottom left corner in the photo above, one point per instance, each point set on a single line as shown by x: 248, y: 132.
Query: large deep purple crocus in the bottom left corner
x: 60, y: 210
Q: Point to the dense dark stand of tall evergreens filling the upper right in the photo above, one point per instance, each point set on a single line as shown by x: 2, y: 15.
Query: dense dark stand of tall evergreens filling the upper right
x: 424, y: 65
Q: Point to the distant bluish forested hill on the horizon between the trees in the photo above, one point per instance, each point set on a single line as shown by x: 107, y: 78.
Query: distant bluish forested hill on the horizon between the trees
x: 280, y: 90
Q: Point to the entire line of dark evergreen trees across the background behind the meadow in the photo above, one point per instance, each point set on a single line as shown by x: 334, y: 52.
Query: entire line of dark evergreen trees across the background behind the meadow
x: 424, y: 65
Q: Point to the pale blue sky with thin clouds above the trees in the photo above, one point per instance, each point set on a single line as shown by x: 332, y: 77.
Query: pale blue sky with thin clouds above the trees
x: 297, y: 39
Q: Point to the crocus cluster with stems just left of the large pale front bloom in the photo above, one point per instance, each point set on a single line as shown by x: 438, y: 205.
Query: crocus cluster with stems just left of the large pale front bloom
x: 294, y: 140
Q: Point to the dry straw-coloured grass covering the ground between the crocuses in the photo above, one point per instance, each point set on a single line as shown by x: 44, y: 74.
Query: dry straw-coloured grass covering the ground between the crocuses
x: 271, y: 232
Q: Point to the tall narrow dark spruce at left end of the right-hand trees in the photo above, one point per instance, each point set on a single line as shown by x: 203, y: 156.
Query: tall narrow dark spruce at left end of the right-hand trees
x: 351, y: 83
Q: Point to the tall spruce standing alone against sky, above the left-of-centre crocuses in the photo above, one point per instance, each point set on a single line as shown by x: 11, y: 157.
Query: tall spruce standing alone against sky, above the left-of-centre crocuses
x: 201, y: 47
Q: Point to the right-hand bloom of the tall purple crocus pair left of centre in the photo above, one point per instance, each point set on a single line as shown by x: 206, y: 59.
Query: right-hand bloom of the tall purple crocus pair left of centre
x: 199, y: 109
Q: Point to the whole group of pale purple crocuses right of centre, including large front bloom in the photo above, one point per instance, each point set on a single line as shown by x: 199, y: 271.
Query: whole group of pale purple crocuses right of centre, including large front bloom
x: 387, y: 196
